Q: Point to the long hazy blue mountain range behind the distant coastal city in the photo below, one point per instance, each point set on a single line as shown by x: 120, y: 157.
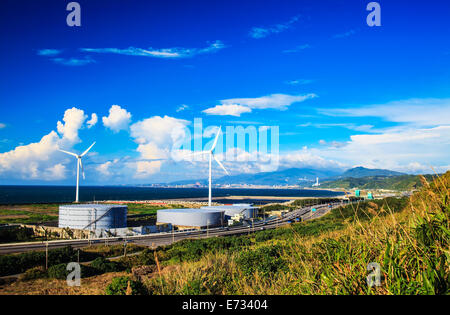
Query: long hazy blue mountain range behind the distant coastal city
x: 291, y: 176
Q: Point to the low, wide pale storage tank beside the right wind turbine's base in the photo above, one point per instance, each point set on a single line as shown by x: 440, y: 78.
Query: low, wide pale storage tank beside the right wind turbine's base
x: 191, y: 218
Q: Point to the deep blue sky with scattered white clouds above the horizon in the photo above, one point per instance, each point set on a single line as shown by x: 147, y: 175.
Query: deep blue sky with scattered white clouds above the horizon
x: 342, y: 93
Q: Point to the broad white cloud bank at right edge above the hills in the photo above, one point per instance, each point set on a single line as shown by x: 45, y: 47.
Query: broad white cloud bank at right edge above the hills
x: 397, y: 149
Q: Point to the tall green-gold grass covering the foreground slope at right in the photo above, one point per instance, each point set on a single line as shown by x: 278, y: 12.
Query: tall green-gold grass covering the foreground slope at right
x: 410, y: 244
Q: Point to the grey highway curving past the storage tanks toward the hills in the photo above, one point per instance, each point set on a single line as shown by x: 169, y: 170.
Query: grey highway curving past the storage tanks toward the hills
x: 166, y: 238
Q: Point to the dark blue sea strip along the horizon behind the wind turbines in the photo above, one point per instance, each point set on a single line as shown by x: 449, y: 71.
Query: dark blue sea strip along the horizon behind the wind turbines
x: 63, y: 194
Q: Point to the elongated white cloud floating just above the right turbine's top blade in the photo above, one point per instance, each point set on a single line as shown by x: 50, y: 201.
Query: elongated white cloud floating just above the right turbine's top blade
x: 238, y: 106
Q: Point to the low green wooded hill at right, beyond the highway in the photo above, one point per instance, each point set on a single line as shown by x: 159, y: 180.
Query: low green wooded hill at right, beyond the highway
x: 400, y: 183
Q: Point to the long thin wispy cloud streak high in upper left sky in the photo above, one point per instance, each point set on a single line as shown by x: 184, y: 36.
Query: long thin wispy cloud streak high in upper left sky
x: 168, y: 53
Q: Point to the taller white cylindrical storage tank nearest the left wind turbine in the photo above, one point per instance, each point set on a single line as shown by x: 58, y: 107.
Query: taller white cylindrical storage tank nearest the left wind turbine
x: 93, y: 216
